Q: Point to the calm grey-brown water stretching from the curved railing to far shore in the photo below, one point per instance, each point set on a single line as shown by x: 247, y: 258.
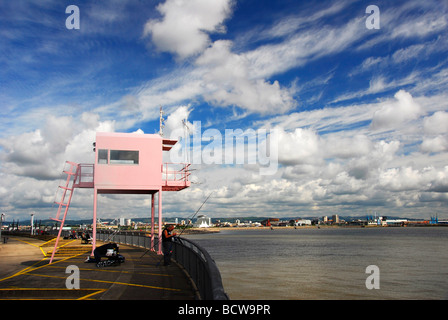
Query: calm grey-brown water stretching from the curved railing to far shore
x: 330, y: 263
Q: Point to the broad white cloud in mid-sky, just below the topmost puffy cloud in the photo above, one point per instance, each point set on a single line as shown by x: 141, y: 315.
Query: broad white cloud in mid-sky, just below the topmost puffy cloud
x: 221, y: 78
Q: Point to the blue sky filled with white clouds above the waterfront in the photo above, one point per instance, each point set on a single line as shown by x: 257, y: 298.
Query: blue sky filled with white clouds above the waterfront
x: 361, y: 113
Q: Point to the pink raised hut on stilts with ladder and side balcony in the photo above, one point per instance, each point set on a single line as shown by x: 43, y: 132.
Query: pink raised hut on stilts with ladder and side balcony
x: 125, y: 163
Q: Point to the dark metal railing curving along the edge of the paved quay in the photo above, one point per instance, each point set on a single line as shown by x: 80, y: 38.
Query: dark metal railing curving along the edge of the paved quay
x: 196, y: 261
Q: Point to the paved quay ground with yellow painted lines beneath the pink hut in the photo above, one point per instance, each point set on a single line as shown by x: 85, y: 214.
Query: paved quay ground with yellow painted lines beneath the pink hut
x: 25, y: 273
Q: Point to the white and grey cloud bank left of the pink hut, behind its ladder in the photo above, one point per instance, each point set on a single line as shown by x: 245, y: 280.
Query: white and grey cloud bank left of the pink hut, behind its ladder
x: 32, y: 162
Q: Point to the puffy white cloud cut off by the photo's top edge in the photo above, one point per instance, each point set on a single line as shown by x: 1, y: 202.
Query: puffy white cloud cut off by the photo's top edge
x: 186, y: 24
